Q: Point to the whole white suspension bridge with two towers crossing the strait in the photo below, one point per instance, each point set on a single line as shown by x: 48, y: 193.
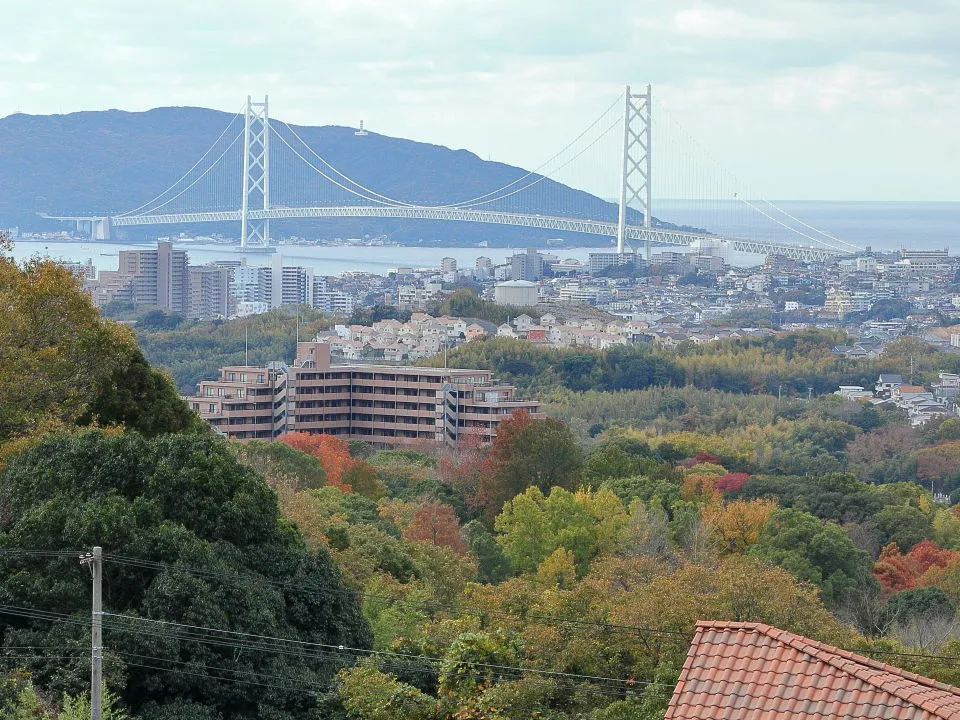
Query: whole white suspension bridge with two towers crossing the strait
x: 262, y: 170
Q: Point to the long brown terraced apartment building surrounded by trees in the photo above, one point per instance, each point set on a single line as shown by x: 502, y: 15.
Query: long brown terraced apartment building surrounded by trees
x: 382, y: 404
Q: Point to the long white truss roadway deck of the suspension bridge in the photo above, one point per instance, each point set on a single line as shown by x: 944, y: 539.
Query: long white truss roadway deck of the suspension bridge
x: 592, y: 227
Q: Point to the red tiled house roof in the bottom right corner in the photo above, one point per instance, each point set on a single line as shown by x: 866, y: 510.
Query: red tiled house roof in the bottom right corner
x: 752, y: 671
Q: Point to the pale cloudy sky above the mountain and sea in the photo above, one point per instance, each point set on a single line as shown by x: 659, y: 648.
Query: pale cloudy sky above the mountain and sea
x: 798, y: 99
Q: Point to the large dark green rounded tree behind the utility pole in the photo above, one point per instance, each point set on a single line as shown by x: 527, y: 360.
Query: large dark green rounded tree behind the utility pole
x: 175, y: 503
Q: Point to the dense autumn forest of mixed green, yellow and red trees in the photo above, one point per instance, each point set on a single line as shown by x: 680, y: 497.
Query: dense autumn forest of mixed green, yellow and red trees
x: 557, y: 573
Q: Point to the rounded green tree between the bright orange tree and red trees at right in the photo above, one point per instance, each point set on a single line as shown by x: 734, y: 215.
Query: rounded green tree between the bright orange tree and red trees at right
x: 816, y: 552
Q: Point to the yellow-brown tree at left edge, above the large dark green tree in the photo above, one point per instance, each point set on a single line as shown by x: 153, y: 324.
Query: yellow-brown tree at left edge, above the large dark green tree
x: 61, y: 363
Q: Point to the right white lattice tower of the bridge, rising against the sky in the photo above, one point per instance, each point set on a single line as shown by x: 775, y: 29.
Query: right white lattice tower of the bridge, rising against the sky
x: 636, y: 168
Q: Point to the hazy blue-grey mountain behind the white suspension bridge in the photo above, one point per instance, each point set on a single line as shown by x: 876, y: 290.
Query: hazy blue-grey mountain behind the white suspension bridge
x: 95, y: 163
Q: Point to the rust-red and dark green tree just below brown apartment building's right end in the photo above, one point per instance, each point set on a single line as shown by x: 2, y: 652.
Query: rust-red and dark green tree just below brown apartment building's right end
x: 529, y: 452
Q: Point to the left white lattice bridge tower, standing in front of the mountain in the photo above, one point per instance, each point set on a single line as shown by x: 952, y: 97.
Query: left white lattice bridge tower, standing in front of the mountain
x: 255, y: 183
